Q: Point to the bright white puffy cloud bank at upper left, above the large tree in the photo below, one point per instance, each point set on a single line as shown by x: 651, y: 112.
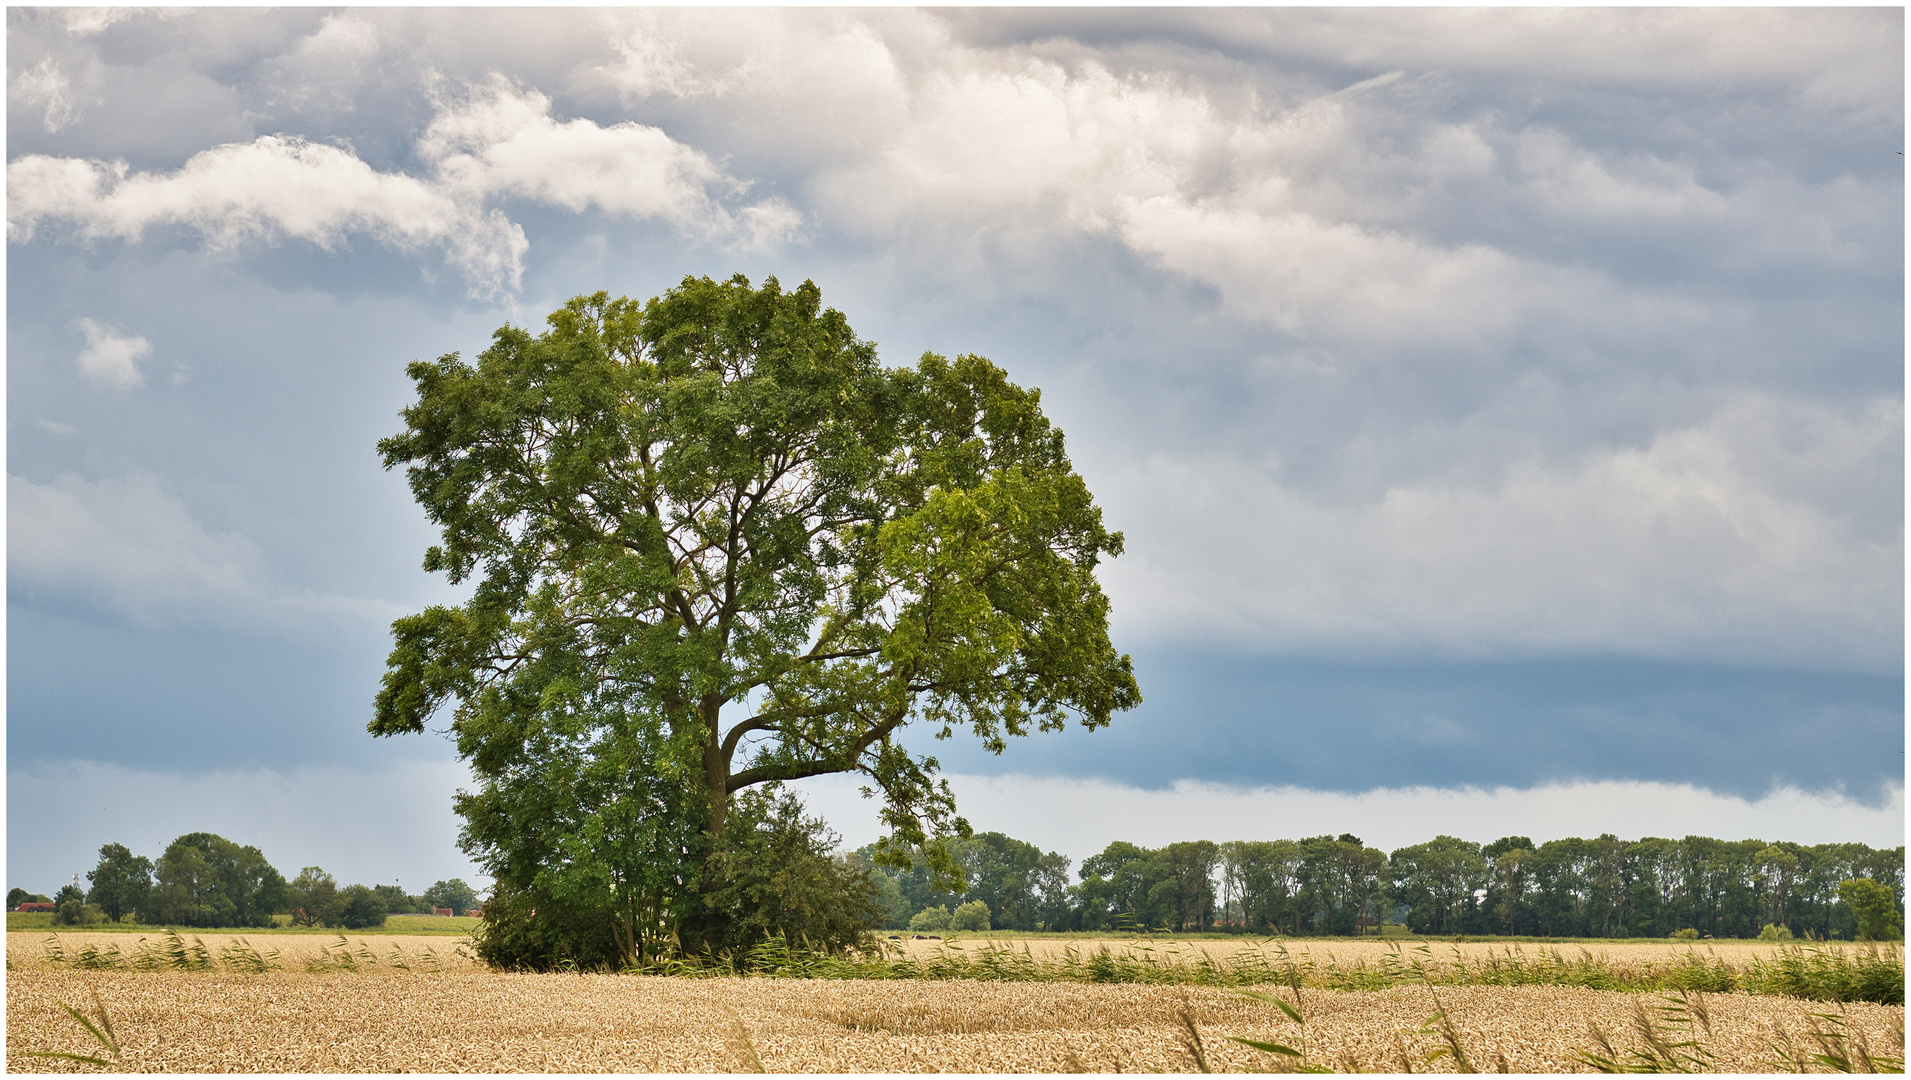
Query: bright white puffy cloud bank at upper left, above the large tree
x: 498, y: 142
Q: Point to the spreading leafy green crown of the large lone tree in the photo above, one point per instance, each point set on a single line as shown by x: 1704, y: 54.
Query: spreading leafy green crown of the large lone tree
x: 718, y: 546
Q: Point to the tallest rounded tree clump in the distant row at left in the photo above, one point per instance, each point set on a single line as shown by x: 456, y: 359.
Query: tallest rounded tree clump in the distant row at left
x: 207, y: 880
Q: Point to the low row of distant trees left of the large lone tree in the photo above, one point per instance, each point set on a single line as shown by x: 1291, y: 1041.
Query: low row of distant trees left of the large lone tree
x: 205, y: 880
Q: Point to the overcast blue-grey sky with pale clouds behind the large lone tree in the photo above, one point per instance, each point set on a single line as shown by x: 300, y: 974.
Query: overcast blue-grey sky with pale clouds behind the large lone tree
x: 1505, y: 408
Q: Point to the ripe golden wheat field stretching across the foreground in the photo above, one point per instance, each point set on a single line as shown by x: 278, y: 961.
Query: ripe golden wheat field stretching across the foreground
x: 467, y: 1020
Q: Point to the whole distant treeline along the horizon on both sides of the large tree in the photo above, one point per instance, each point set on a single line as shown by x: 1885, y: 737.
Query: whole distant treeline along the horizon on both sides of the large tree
x: 1318, y: 886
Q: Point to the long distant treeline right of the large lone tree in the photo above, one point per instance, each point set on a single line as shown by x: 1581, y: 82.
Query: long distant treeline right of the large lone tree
x: 1339, y: 886
